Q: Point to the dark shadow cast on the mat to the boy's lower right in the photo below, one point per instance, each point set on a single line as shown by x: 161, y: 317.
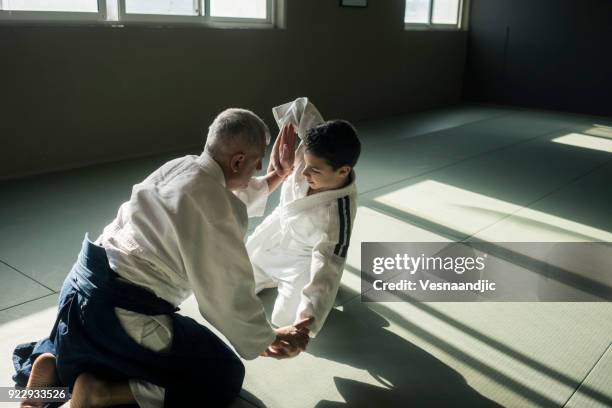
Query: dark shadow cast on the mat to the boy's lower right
x: 406, y: 374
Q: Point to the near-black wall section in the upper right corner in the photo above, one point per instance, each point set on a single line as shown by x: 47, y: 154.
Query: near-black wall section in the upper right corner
x: 556, y: 54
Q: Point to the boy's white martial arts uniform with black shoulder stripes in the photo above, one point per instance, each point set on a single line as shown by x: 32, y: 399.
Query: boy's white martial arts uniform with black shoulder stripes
x: 301, y: 247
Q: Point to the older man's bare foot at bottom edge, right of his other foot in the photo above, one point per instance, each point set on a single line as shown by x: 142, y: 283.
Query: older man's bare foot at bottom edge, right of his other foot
x: 91, y: 391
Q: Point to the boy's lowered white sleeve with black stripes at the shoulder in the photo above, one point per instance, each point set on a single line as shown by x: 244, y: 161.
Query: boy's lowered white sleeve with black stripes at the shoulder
x: 326, y: 267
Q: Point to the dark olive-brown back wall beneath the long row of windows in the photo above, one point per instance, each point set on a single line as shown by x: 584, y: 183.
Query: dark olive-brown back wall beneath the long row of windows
x: 73, y: 96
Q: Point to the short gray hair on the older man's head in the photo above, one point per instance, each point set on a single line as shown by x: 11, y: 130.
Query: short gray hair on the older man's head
x: 236, y: 129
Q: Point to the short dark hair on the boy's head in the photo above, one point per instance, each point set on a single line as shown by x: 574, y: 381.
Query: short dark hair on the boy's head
x: 335, y: 141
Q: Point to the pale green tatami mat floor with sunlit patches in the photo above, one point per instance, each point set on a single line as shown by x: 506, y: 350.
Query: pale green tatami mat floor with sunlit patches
x: 467, y: 172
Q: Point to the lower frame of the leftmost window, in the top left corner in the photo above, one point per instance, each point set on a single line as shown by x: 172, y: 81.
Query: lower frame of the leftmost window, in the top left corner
x: 55, y: 16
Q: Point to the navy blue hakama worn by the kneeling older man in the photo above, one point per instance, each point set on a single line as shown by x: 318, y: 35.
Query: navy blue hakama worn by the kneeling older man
x: 88, y: 337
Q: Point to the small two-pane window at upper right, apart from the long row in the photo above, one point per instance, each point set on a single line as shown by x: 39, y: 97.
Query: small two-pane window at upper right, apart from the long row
x: 435, y: 14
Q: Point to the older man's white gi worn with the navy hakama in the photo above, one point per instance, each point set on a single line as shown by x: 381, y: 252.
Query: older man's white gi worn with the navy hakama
x: 182, y: 232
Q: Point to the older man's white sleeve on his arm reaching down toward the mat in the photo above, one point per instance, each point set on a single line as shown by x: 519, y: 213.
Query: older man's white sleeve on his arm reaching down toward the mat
x: 221, y: 277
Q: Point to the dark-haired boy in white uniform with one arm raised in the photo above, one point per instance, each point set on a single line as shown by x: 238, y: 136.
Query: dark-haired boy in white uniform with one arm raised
x: 301, y: 247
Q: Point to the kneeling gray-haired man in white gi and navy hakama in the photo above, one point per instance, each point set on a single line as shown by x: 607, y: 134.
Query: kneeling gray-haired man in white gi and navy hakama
x: 117, y: 338
